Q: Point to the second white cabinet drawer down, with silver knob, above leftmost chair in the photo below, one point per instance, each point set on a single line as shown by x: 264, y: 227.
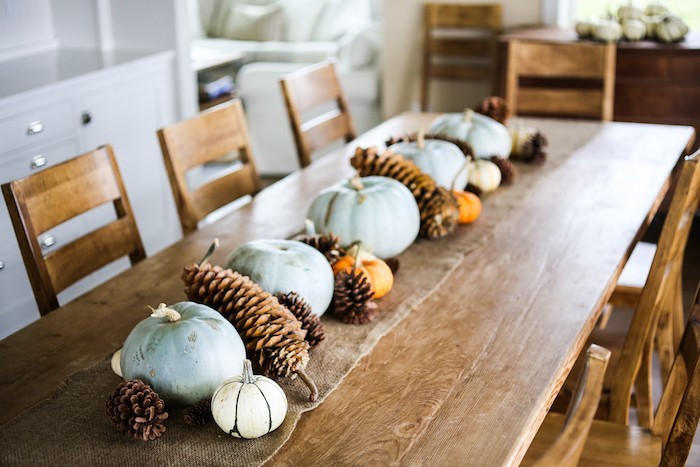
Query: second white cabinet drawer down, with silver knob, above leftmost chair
x: 29, y: 162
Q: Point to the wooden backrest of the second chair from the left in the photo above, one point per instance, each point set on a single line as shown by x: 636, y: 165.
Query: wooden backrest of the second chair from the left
x: 206, y: 138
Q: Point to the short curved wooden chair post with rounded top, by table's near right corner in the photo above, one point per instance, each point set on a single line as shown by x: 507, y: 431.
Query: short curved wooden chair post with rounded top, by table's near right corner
x: 567, y: 449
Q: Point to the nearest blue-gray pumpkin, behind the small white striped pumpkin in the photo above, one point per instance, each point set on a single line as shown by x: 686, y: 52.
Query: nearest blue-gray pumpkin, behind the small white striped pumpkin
x: 184, y: 351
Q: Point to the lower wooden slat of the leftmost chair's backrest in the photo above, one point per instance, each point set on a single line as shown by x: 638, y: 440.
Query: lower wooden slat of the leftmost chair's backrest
x: 90, y: 252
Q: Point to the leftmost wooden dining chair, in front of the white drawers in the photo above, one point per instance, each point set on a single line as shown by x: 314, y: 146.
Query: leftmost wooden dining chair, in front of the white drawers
x: 46, y: 199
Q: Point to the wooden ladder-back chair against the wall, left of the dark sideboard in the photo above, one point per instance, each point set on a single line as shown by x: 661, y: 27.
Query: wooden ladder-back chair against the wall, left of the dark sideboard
x: 459, y: 43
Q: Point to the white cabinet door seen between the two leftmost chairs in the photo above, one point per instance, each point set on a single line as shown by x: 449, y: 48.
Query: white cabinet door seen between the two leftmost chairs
x: 127, y: 116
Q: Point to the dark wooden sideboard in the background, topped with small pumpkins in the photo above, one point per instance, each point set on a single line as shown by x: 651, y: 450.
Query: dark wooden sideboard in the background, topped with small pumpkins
x: 654, y: 82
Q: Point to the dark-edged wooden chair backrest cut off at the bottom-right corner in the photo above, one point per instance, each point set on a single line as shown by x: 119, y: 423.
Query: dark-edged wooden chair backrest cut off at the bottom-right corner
x: 677, y: 417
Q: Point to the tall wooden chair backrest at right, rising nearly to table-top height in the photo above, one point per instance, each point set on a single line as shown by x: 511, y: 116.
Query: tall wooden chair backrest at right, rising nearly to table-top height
x: 660, y: 292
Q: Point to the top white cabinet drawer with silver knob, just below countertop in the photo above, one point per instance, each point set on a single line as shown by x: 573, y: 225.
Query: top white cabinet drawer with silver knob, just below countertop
x: 36, y: 125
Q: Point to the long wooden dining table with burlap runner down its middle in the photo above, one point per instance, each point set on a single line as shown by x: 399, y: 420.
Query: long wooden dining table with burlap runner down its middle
x: 468, y: 376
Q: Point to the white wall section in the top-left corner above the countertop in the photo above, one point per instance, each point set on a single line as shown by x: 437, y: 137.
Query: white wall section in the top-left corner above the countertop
x: 25, y: 25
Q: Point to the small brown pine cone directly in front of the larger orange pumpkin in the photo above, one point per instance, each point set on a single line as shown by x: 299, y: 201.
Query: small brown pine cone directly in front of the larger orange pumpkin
x: 352, y: 299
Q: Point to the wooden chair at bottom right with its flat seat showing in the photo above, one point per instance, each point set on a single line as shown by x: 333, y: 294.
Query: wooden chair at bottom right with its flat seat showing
x: 669, y: 439
